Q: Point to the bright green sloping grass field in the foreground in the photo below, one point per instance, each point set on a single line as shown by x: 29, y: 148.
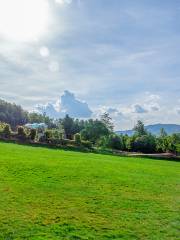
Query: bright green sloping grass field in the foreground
x: 56, y: 194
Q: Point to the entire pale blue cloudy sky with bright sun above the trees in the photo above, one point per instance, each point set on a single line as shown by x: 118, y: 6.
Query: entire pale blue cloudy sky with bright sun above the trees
x: 85, y: 57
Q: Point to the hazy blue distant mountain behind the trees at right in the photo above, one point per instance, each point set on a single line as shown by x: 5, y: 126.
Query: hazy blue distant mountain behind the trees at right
x: 155, y: 129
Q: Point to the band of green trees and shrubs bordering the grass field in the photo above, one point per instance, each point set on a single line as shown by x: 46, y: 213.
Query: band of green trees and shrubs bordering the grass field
x: 92, y: 133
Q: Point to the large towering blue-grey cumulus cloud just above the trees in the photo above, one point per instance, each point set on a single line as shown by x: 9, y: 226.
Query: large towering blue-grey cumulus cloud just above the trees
x: 68, y: 104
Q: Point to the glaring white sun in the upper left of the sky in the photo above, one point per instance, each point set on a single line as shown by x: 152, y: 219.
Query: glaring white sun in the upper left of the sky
x: 23, y: 20
